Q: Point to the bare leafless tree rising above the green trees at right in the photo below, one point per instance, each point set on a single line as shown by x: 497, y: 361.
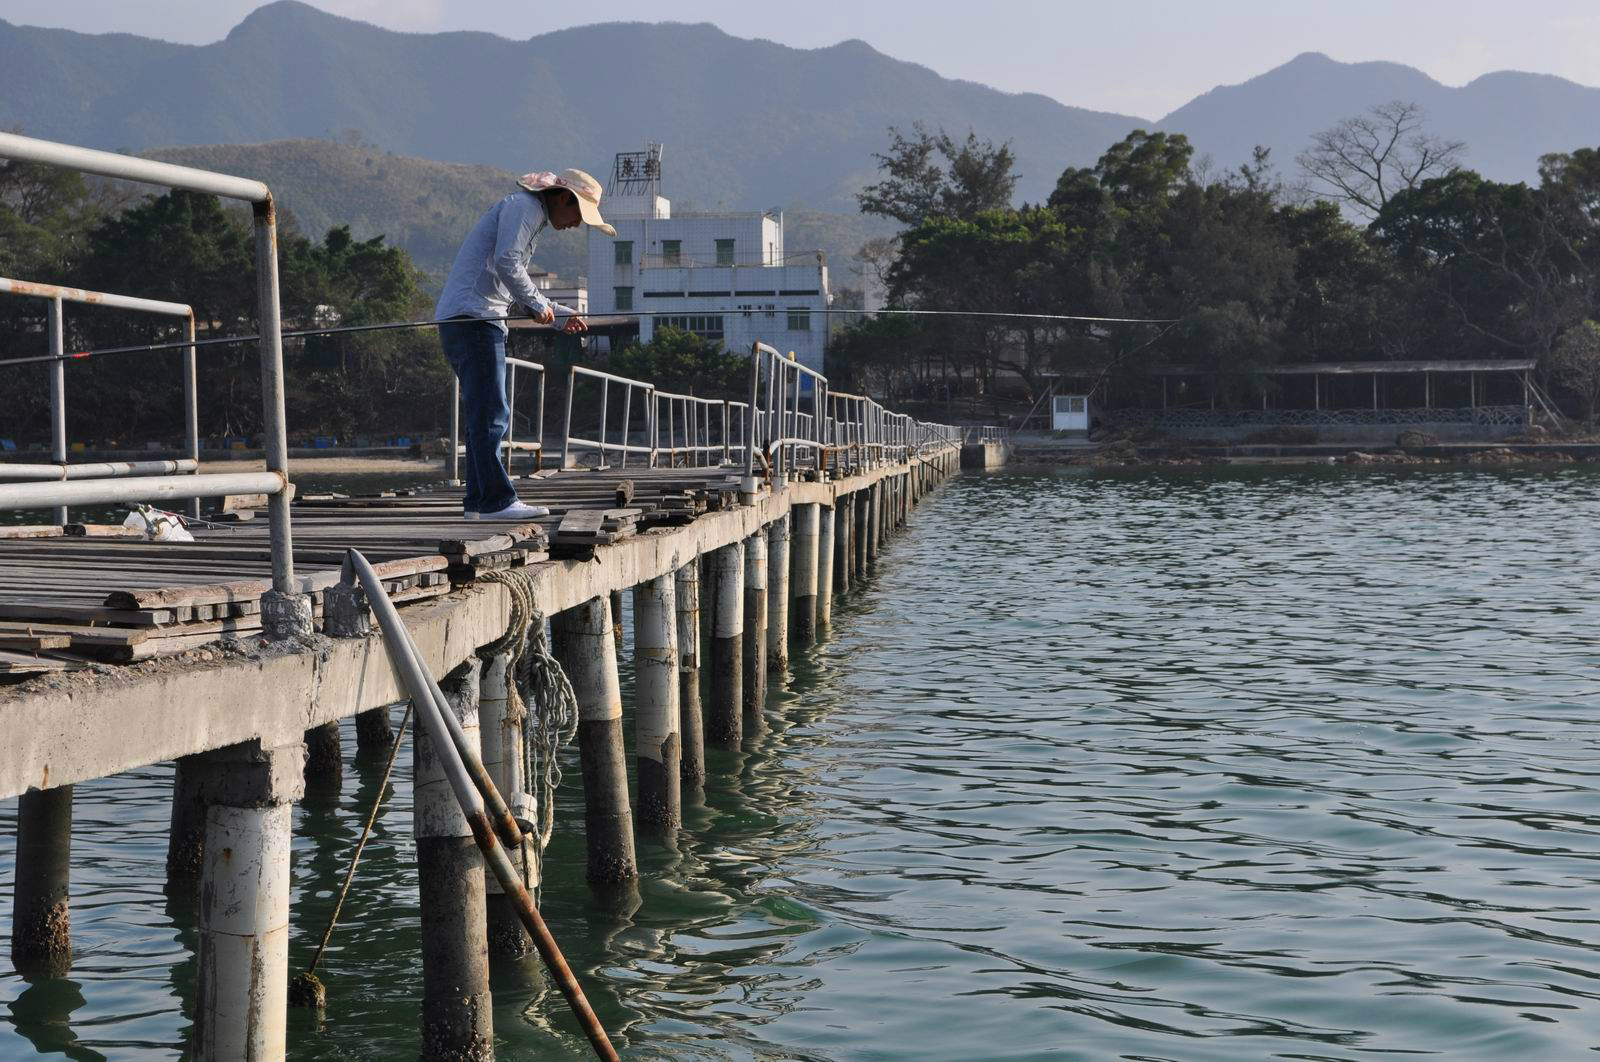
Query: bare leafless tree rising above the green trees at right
x: 1362, y: 162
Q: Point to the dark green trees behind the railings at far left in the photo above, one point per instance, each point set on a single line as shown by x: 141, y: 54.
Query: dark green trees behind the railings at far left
x: 190, y: 249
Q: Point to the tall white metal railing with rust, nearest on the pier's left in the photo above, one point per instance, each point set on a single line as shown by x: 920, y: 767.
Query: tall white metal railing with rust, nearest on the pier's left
x: 274, y: 482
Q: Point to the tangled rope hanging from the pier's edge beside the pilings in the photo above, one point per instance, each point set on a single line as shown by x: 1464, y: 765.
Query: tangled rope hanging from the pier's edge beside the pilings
x: 538, y: 681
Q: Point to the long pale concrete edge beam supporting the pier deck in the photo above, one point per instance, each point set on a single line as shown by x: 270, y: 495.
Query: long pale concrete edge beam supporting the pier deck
x: 105, y: 721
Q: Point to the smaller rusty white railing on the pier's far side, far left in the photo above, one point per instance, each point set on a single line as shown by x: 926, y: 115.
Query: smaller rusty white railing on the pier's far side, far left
x: 58, y: 386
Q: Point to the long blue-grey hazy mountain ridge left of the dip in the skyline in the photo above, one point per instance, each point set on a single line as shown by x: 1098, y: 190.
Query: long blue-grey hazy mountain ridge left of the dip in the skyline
x: 746, y: 124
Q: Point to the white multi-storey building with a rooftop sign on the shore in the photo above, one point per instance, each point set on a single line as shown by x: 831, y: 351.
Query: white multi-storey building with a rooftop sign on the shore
x: 726, y: 277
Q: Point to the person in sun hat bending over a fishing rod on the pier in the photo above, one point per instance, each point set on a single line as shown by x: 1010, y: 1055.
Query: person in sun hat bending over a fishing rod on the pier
x: 492, y: 273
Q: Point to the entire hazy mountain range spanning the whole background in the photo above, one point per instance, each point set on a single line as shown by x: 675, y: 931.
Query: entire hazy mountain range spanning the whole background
x: 350, y: 118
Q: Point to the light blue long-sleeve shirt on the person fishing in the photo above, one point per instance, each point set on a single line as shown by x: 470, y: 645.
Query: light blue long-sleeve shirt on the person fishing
x: 492, y: 268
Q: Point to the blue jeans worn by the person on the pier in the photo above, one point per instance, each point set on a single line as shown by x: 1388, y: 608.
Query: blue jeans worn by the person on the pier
x: 478, y: 353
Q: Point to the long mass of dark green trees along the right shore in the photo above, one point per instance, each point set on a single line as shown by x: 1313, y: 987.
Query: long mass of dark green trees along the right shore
x: 1249, y: 273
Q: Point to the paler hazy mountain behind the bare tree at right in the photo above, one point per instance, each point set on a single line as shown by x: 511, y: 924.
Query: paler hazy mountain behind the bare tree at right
x: 1506, y: 119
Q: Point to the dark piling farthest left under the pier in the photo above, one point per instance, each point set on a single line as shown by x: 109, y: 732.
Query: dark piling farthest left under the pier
x: 41, y: 916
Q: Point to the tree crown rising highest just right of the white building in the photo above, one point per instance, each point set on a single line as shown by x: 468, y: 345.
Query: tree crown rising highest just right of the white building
x: 974, y: 177
